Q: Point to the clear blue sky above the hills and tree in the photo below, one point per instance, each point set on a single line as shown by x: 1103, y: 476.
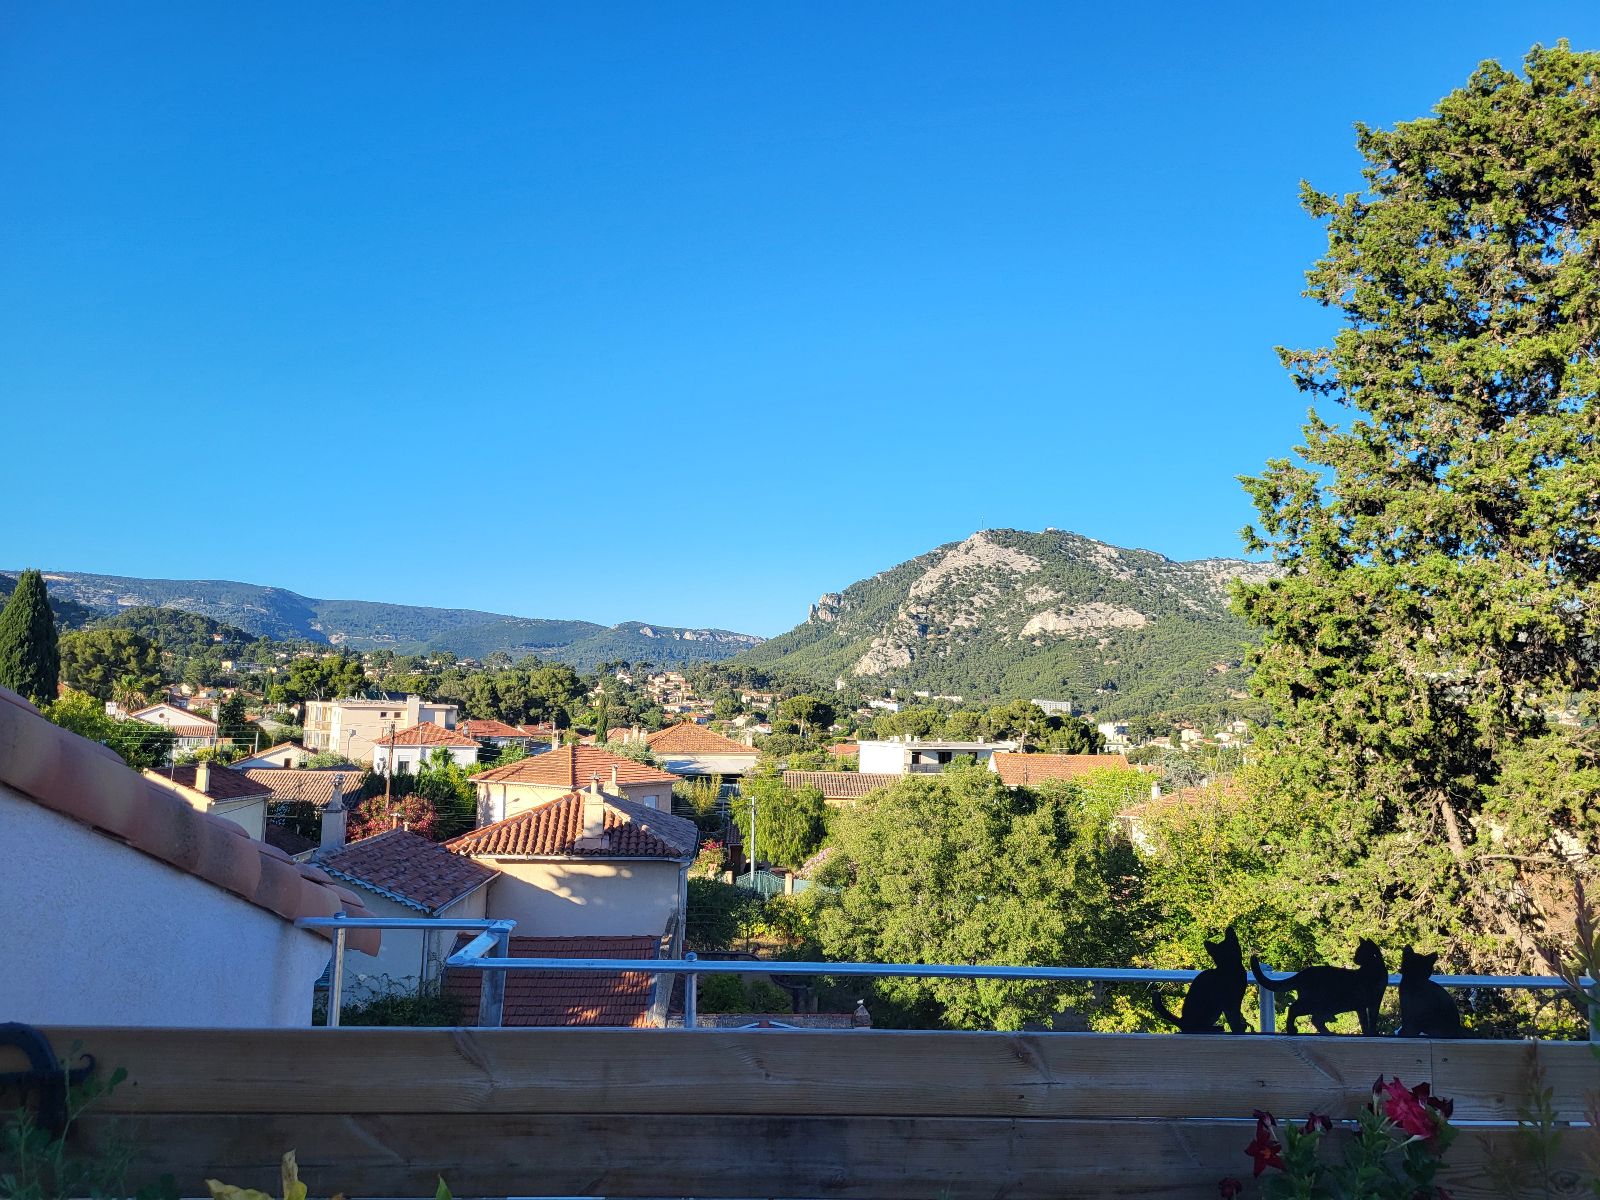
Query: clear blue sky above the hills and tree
x: 670, y: 313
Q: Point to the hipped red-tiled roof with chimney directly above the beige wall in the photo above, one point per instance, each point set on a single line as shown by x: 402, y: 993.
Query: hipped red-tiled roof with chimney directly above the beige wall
x: 554, y: 830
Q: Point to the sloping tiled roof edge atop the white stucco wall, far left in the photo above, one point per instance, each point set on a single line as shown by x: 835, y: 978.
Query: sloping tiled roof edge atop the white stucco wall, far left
x: 89, y: 783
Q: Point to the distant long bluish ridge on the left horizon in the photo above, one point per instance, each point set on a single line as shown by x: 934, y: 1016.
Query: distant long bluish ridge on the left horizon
x: 367, y: 625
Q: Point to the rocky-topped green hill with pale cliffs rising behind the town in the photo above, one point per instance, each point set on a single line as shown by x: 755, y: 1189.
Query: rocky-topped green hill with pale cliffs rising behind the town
x: 1018, y: 615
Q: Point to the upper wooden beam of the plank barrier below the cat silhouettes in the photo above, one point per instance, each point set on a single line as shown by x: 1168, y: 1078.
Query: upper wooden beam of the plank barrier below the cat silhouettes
x: 860, y: 1073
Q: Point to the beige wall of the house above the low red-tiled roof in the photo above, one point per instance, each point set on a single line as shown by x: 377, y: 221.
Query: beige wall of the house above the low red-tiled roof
x: 574, y: 898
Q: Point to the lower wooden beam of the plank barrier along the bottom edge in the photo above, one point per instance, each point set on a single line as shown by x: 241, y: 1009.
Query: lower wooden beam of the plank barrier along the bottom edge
x: 652, y: 1156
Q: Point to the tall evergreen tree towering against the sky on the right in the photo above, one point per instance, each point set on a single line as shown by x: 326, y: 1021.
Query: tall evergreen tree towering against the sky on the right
x: 1433, y: 641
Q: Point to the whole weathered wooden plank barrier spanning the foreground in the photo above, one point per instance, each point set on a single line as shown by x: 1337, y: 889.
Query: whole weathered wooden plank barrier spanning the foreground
x: 769, y: 1114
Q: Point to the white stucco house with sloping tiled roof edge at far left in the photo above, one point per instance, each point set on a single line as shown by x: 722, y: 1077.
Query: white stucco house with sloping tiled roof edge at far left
x: 145, y: 910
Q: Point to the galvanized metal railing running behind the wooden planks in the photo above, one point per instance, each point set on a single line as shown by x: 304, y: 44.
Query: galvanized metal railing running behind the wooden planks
x: 495, y: 937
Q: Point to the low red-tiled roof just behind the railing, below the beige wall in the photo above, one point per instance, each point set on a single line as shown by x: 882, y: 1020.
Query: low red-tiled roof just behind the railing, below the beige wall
x: 566, y: 998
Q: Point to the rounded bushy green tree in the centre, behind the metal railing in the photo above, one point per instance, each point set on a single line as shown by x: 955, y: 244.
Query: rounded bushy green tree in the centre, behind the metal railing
x: 959, y: 870
